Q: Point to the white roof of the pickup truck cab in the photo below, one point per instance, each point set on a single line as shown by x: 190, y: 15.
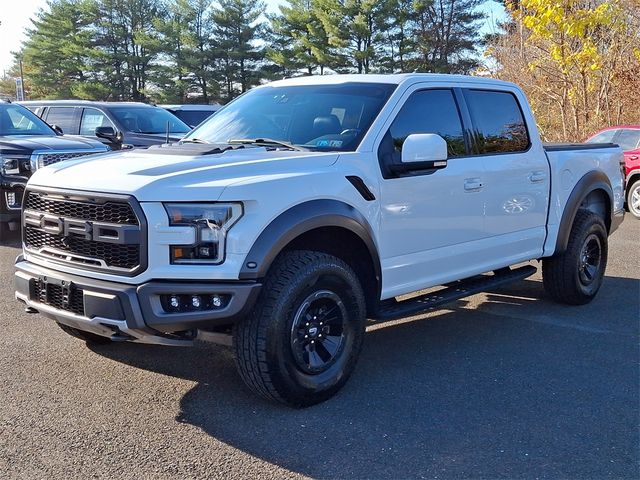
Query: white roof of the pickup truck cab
x: 388, y: 79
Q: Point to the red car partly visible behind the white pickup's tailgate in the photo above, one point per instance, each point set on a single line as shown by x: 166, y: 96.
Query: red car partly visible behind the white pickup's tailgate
x: 628, y: 137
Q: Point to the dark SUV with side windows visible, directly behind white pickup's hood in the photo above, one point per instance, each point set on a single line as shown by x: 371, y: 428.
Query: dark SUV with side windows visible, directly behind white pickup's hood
x: 117, y: 124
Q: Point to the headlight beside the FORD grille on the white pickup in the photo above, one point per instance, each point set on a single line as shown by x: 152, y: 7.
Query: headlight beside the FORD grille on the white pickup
x: 211, y: 222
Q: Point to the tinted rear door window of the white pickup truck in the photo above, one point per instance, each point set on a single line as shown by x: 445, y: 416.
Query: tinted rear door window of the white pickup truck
x: 498, y: 122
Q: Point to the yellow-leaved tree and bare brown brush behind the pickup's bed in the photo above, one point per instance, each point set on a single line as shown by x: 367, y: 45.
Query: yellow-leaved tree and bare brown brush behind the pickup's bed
x: 574, y: 58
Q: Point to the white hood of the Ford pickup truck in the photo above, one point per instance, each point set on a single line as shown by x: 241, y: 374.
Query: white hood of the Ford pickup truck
x: 171, y: 174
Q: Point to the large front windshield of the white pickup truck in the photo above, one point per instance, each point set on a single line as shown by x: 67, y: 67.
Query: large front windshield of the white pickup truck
x: 319, y: 117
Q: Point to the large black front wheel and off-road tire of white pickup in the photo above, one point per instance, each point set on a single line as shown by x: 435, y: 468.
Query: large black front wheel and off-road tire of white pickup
x: 267, y: 350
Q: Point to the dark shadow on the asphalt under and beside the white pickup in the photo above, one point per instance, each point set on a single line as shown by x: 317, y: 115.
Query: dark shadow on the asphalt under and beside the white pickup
x: 515, y: 385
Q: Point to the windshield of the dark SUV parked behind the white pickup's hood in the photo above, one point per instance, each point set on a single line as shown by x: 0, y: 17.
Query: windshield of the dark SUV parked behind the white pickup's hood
x: 148, y: 120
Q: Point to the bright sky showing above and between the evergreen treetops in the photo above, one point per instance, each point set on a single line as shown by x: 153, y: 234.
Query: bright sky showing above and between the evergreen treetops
x: 15, y: 20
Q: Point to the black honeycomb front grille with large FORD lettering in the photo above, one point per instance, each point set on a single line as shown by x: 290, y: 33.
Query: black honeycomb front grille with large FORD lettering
x: 82, y: 247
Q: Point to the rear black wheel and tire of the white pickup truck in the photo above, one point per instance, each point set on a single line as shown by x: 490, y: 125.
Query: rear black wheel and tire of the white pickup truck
x: 574, y: 276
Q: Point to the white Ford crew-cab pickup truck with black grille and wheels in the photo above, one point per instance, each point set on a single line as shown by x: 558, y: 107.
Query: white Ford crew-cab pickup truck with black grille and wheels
x: 307, y: 206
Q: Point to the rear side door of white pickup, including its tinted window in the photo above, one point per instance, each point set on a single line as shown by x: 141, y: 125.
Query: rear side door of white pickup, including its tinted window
x: 517, y: 176
